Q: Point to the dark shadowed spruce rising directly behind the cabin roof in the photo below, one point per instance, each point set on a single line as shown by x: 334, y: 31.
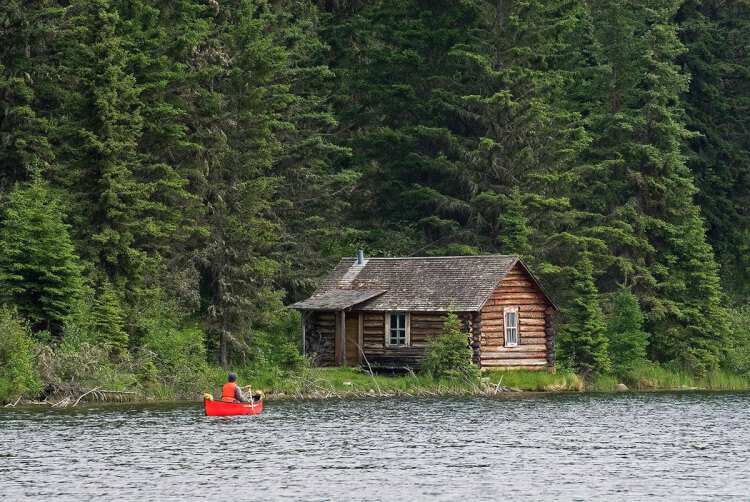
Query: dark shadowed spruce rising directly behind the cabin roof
x: 397, y: 112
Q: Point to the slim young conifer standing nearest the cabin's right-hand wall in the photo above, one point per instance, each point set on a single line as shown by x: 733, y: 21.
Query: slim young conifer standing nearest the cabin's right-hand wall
x: 583, y: 341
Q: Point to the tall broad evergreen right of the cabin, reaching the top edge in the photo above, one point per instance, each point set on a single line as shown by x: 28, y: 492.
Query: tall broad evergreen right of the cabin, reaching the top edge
x: 637, y: 181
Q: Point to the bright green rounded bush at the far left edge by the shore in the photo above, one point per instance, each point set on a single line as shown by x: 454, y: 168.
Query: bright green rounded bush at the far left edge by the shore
x: 19, y: 374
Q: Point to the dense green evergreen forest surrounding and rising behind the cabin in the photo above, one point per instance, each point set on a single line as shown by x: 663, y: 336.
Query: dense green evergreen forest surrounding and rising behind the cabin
x: 172, y: 174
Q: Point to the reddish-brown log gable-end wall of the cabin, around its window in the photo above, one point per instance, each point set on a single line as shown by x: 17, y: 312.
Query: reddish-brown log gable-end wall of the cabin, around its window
x: 535, y: 348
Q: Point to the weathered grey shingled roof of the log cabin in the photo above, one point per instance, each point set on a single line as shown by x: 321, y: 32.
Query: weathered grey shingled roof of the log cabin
x: 460, y: 283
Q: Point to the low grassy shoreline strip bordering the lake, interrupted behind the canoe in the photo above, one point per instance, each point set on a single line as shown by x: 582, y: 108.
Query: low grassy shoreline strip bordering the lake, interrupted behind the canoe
x: 350, y: 383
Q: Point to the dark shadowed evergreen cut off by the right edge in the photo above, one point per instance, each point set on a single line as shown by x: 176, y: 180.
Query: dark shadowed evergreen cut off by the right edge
x: 717, y: 105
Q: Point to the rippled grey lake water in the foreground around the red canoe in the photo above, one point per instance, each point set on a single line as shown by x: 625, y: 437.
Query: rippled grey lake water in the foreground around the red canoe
x: 684, y: 446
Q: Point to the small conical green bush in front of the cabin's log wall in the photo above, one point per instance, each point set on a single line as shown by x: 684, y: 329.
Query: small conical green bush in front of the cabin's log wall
x: 450, y: 353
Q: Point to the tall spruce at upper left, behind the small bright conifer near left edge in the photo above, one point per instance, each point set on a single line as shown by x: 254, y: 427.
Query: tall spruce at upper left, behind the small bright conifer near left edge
x: 124, y: 203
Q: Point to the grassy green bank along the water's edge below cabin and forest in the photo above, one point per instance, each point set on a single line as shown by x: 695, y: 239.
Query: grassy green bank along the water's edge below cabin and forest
x: 321, y: 383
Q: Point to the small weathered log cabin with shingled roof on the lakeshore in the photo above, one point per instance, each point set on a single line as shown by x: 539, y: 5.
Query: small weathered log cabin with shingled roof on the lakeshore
x: 383, y: 311
